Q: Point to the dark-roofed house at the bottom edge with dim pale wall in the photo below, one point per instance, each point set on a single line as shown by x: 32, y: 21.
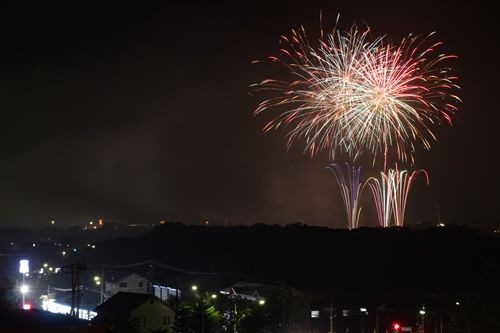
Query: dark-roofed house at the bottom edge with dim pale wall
x: 135, y: 312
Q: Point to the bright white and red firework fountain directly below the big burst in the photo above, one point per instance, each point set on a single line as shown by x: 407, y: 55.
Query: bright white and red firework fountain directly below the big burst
x: 390, y: 194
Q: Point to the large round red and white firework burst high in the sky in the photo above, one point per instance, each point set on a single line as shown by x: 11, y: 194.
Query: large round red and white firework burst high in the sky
x: 355, y: 94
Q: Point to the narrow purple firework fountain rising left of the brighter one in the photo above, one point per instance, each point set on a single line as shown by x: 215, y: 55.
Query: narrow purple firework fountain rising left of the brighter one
x: 350, y: 190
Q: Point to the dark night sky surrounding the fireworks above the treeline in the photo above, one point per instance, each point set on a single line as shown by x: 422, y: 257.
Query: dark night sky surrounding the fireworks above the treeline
x: 141, y: 113
